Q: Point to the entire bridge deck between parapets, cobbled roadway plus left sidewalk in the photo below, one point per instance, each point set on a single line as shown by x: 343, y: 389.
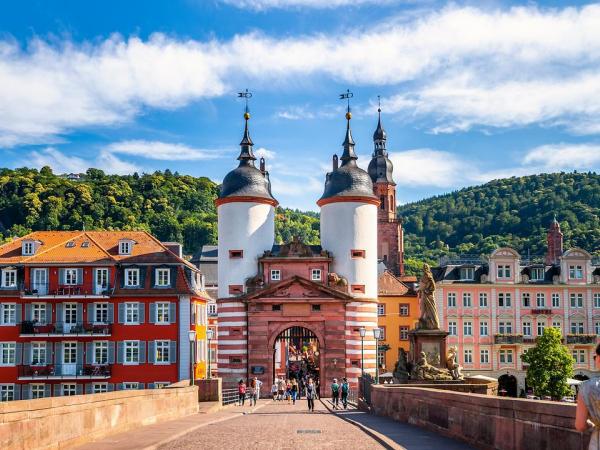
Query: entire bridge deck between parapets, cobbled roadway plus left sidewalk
x: 277, y: 425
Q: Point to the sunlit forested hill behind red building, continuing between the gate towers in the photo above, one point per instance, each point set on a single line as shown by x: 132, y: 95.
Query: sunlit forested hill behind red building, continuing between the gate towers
x: 173, y: 207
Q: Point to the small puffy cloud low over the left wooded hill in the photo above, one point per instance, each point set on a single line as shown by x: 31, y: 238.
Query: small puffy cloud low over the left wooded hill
x: 62, y: 163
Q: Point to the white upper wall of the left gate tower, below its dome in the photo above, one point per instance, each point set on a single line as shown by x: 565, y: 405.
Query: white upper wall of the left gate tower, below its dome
x: 247, y: 226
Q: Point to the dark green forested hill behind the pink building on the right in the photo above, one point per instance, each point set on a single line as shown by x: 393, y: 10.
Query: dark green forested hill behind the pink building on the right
x: 512, y: 211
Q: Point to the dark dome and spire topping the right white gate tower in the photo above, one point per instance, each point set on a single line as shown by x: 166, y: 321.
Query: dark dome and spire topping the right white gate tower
x: 348, y: 180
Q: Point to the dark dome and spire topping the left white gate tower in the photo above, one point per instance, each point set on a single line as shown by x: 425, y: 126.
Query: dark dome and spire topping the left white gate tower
x: 246, y: 180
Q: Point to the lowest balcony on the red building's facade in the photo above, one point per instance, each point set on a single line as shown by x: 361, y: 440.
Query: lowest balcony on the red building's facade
x: 64, y: 371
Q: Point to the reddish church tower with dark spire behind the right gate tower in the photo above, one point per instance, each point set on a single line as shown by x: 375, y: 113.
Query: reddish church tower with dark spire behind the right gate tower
x: 390, y: 240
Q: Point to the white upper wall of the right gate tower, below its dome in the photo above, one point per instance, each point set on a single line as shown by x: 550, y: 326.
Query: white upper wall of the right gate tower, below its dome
x: 347, y: 226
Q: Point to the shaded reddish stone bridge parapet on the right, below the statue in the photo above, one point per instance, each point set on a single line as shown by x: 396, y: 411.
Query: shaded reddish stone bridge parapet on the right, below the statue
x: 484, y: 421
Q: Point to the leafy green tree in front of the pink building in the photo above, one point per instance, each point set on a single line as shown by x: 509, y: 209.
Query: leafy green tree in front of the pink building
x: 550, y: 364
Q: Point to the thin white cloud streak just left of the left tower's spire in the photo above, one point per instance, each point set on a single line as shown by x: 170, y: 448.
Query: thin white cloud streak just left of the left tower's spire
x: 162, y: 151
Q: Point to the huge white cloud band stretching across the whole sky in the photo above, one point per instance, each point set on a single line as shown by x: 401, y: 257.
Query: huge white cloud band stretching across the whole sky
x: 463, y: 66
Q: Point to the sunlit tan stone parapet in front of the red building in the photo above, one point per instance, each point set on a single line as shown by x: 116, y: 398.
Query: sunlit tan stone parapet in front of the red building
x: 61, y: 422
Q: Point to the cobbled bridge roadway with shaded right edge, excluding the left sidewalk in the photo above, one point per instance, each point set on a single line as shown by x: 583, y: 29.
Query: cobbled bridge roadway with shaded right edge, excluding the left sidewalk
x: 283, y: 426
